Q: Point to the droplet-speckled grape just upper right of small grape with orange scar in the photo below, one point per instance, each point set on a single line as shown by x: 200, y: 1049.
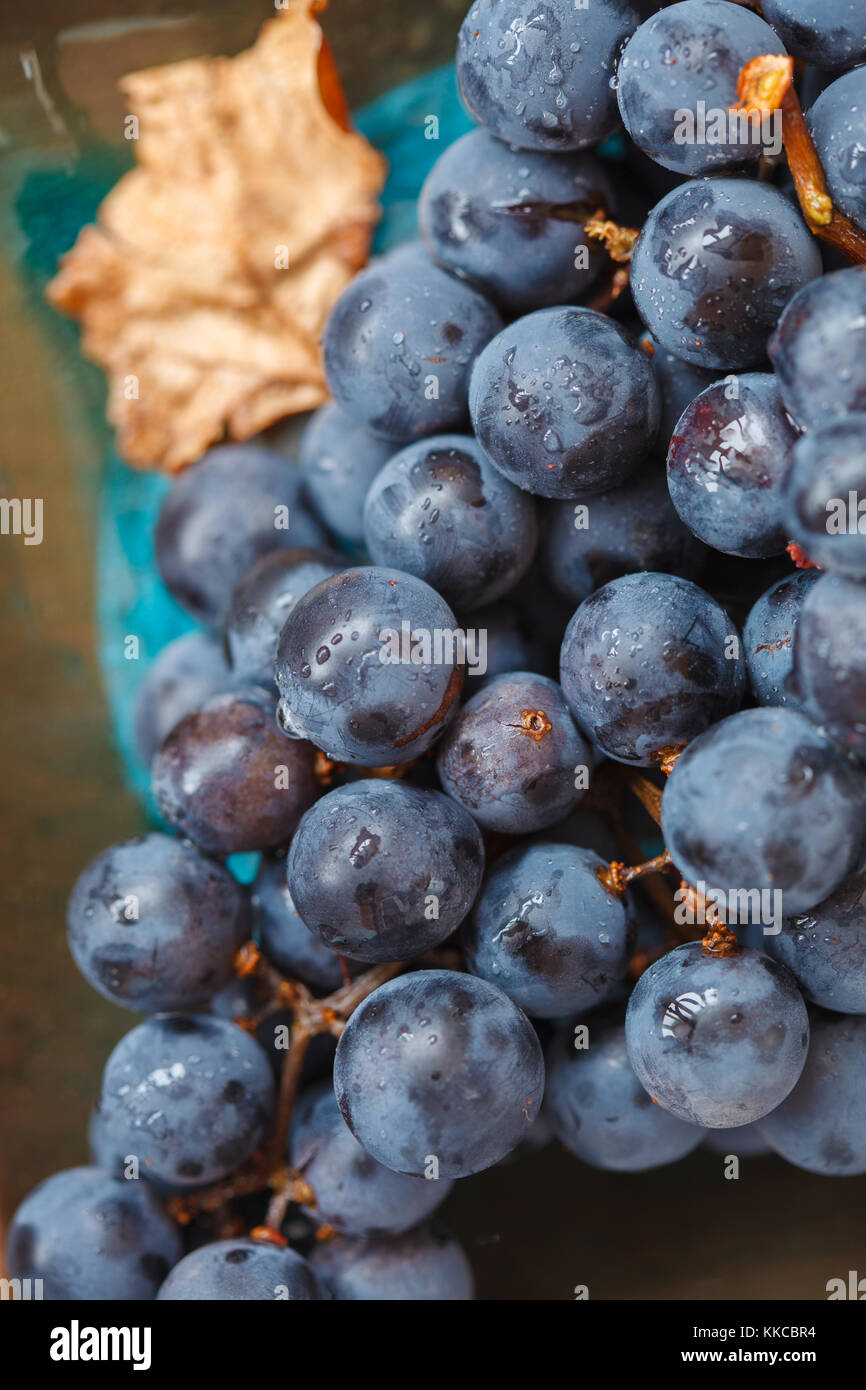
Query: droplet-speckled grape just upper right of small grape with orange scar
x: 648, y: 662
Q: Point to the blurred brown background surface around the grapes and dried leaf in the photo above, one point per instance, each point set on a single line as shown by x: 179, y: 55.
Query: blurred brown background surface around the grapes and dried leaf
x: 533, y: 1229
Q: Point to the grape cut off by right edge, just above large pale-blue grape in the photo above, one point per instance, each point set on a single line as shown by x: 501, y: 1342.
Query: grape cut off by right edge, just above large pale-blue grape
x: 831, y: 661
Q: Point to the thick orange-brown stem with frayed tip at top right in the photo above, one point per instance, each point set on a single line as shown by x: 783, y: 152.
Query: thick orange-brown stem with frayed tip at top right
x: 767, y: 85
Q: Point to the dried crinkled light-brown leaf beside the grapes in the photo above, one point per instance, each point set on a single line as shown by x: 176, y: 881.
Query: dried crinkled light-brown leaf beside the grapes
x: 205, y: 286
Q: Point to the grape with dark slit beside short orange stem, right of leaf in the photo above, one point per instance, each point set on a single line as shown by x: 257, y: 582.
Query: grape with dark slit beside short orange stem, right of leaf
x: 511, y: 222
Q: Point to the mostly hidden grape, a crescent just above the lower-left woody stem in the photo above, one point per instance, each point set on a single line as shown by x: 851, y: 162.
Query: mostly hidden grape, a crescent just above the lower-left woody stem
x: 284, y: 936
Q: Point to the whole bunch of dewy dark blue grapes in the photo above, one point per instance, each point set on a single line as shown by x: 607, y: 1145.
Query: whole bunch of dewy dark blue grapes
x: 426, y: 700
